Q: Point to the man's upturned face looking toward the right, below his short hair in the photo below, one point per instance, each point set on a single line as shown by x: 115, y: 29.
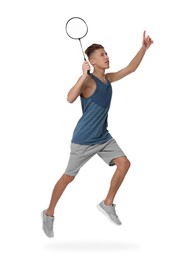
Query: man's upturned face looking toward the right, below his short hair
x: 100, y: 59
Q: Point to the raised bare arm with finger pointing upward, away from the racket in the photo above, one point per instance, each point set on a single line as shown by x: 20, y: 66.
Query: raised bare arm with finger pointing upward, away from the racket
x: 133, y: 65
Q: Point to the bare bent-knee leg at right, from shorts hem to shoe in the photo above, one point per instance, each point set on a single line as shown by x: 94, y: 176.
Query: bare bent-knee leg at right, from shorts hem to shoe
x: 123, y: 164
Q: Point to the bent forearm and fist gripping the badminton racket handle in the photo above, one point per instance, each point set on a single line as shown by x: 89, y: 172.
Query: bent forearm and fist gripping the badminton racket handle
x: 77, y: 89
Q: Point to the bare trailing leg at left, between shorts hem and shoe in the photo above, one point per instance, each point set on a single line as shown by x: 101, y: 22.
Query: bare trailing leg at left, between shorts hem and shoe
x: 57, y: 192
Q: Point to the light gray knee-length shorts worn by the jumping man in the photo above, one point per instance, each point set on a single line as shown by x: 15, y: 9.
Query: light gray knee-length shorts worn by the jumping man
x: 80, y: 154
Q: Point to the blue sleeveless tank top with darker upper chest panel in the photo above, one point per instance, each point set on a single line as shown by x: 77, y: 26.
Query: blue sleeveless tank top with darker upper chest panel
x: 92, y: 126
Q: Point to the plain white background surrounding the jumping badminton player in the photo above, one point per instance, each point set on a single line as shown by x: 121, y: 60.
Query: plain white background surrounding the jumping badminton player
x: 38, y: 65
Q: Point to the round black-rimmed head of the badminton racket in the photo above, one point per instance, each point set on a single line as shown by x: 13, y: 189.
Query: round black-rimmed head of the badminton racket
x: 76, y: 28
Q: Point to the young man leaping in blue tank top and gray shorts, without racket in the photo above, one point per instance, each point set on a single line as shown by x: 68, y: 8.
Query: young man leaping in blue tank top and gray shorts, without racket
x: 91, y: 136
